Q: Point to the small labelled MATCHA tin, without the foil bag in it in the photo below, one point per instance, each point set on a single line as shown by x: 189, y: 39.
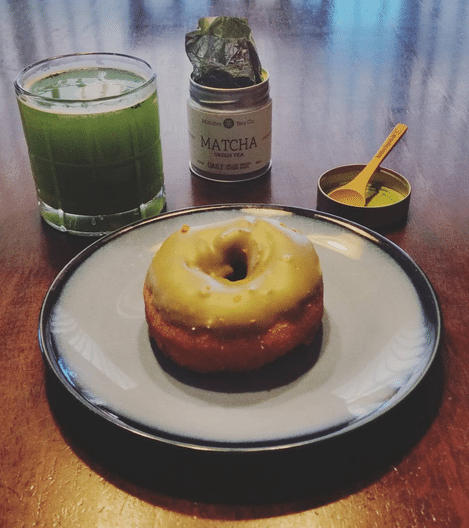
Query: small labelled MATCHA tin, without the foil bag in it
x: 230, y: 131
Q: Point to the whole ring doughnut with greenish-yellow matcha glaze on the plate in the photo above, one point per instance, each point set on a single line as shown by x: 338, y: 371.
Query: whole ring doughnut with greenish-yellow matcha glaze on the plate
x: 233, y: 296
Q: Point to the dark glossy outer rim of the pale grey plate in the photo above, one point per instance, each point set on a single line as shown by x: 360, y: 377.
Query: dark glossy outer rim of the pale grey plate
x: 391, y: 249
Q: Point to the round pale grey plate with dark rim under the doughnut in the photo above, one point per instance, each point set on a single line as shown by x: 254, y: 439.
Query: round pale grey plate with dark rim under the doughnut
x: 380, y: 333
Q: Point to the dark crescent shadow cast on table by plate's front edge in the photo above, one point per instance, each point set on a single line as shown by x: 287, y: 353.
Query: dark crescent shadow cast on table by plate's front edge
x: 318, y: 474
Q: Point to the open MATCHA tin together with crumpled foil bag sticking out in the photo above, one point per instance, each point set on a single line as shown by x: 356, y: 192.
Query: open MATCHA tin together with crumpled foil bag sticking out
x: 229, y: 107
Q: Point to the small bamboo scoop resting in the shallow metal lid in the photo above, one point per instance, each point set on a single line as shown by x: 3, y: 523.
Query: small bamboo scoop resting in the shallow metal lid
x: 353, y: 193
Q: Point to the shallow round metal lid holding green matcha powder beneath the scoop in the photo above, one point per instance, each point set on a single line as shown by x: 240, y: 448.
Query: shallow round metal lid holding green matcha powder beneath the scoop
x: 388, y: 197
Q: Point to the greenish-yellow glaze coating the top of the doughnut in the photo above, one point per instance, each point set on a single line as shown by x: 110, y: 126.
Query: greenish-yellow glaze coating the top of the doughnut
x: 188, y: 275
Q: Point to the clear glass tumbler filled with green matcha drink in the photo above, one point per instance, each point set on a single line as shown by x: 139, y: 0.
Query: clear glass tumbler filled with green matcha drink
x: 92, y: 130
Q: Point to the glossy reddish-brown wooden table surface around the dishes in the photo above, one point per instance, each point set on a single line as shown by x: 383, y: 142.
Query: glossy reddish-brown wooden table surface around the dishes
x: 342, y: 74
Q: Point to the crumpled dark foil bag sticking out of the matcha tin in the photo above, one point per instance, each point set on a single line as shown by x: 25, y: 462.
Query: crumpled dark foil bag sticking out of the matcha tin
x: 223, y: 53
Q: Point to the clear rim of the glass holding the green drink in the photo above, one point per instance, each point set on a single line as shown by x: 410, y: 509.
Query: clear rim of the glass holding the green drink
x: 21, y: 90
